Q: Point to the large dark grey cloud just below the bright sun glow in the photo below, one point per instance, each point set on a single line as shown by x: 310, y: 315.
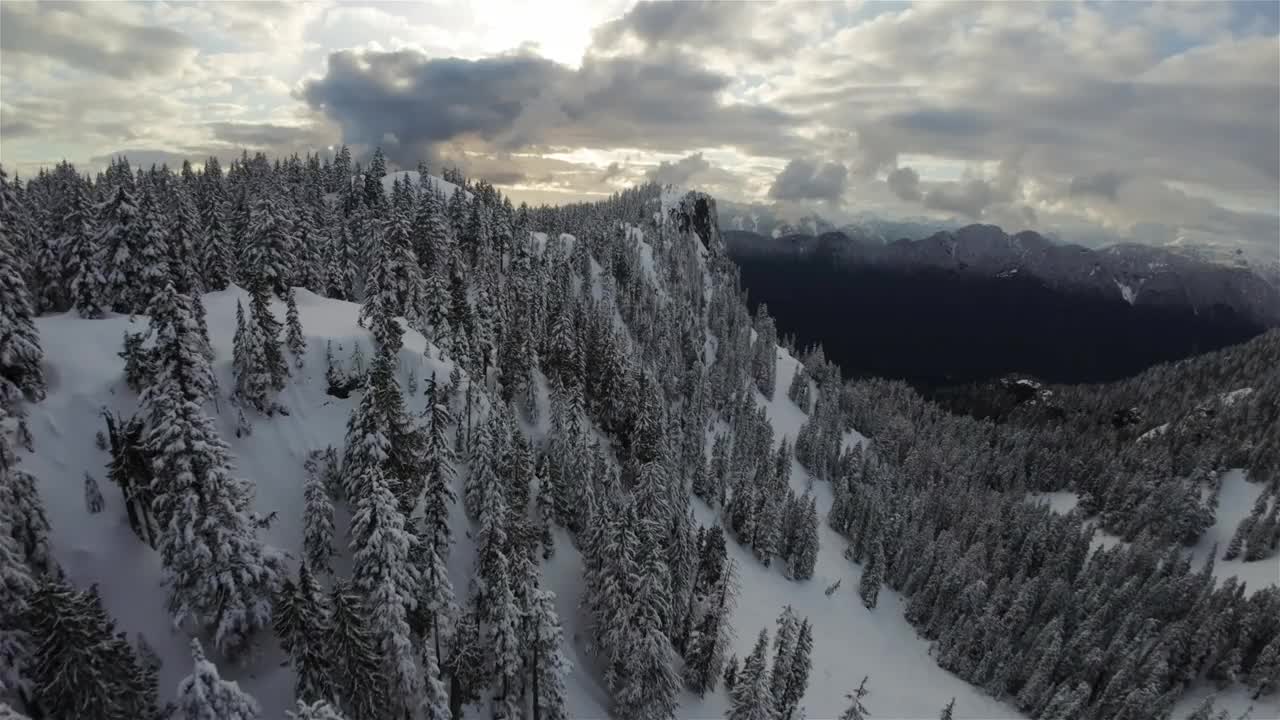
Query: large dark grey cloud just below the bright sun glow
x: 410, y: 103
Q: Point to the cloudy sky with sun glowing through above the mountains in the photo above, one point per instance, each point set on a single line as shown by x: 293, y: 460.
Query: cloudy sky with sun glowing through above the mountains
x: 1095, y: 122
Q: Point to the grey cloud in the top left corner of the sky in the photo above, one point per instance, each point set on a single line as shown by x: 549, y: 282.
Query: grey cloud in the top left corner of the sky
x: 86, y: 38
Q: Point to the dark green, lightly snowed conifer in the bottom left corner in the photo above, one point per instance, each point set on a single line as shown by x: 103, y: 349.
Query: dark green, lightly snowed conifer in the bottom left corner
x: 81, y: 668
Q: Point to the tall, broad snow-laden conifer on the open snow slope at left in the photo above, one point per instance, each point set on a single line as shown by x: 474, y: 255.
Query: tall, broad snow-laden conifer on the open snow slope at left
x: 217, y: 569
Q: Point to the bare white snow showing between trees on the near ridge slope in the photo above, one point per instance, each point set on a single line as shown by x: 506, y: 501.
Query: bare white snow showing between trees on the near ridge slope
x: 86, y: 375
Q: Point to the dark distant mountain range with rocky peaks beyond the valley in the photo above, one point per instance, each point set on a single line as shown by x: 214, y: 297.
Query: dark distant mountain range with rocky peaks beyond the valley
x: 977, y: 303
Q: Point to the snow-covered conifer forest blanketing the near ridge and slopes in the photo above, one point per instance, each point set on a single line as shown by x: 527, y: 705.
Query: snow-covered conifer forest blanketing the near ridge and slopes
x: 309, y: 440
